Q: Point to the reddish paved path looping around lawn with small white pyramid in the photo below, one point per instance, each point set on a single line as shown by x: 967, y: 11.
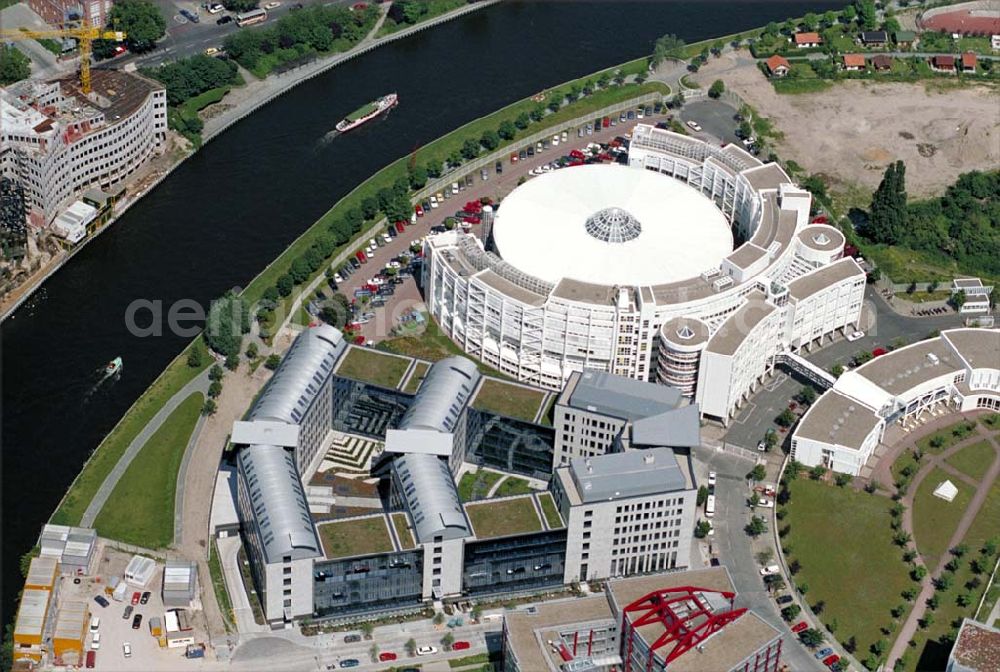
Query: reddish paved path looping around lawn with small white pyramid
x: 909, y: 628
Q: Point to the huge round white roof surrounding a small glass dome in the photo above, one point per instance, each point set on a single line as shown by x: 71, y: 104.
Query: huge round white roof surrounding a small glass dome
x: 542, y: 227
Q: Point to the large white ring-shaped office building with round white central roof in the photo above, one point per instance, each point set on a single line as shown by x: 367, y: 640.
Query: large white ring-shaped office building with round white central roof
x: 590, y: 265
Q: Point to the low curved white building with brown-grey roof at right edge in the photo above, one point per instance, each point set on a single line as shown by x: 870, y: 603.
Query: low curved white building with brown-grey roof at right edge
x: 956, y: 371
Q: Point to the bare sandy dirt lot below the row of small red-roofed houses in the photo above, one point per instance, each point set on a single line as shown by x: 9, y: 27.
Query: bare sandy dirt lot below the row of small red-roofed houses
x: 850, y: 132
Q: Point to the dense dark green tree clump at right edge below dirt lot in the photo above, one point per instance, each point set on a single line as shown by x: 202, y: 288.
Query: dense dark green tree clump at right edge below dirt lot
x: 963, y: 224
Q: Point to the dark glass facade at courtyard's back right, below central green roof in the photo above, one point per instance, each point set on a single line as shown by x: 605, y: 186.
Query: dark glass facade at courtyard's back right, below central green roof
x: 510, y: 445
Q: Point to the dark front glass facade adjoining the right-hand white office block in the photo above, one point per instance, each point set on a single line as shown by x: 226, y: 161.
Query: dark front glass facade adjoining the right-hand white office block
x: 510, y: 564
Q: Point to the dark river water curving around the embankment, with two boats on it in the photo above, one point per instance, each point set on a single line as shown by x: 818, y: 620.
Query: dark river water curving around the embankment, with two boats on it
x: 232, y: 208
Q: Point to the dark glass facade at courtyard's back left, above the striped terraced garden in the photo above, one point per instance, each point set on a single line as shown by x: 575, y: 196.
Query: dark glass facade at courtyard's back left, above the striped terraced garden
x: 366, y: 410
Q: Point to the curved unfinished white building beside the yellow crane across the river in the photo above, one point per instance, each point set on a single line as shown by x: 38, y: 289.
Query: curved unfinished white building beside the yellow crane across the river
x: 57, y: 142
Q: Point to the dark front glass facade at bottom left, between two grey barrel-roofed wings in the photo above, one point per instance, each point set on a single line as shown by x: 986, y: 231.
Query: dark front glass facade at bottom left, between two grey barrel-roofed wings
x: 366, y: 584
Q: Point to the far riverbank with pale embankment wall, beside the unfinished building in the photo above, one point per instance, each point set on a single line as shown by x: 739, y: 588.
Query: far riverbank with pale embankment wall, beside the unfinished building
x: 252, y: 96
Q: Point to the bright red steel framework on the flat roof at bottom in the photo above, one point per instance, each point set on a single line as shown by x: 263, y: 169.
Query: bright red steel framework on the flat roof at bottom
x: 687, y: 620
